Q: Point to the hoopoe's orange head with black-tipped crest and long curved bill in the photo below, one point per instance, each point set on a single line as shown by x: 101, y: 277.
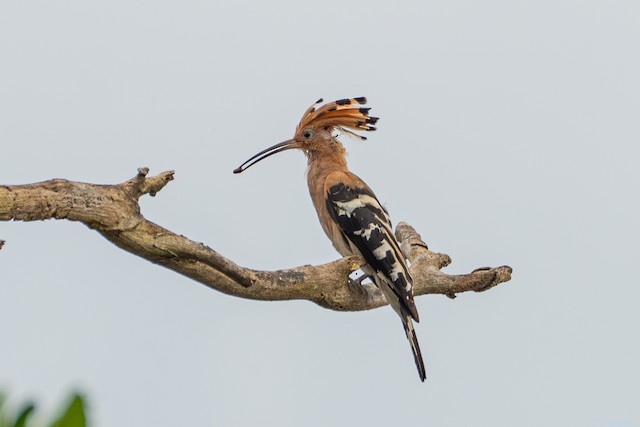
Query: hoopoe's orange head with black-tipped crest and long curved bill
x: 315, y: 132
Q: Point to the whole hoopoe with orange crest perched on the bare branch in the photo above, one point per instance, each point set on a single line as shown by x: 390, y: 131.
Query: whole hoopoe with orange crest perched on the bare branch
x: 348, y: 210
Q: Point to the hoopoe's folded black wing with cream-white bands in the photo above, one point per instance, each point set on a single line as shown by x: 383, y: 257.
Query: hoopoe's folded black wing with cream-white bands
x: 366, y: 224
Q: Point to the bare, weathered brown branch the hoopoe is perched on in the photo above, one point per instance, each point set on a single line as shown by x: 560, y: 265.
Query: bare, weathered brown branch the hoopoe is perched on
x: 114, y: 212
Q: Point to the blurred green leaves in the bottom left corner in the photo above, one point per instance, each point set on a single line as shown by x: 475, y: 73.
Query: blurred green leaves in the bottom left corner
x: 71, y: 415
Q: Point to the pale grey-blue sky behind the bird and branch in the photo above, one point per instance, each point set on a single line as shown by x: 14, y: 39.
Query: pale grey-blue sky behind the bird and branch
x: 512, y: 131
